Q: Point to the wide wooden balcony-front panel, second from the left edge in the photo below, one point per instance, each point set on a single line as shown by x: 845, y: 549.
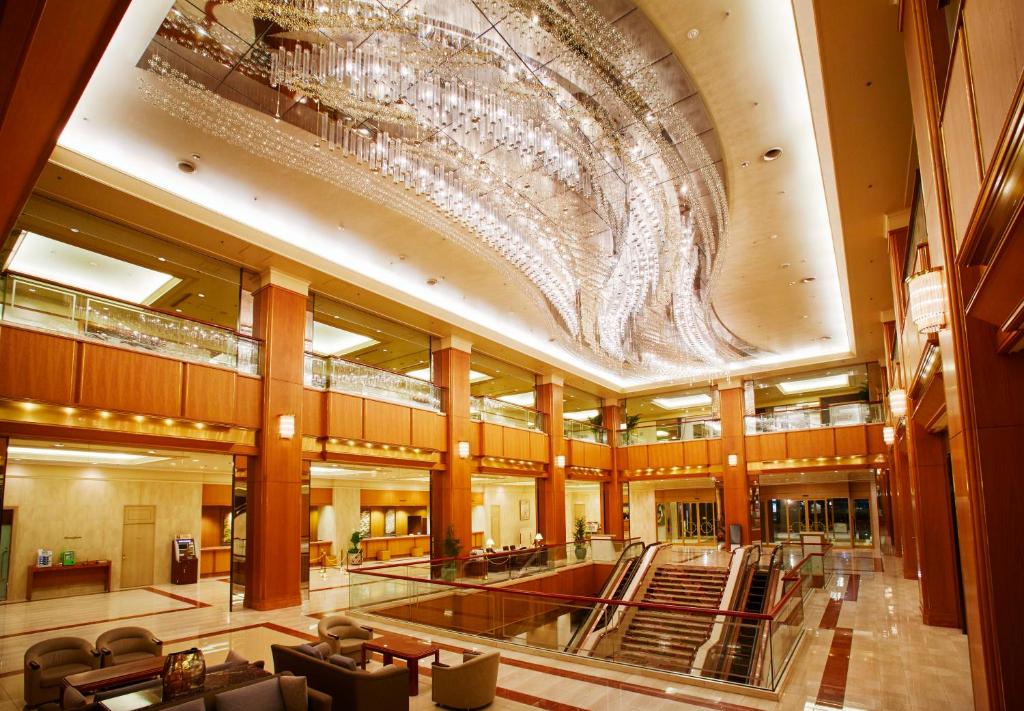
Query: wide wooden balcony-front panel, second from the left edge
x: 131, y: 382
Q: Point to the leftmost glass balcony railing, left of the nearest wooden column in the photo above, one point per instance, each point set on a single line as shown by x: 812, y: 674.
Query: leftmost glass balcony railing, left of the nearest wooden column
x: 49, y: 307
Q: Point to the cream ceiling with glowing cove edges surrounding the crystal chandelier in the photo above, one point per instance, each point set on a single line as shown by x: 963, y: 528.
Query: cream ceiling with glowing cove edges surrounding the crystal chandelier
x: 823, y: 81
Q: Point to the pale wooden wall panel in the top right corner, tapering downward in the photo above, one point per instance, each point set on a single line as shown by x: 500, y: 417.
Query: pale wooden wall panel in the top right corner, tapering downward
x: 996, y: 44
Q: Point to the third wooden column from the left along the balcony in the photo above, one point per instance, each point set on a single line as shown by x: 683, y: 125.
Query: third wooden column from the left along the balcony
x: 551, y: 491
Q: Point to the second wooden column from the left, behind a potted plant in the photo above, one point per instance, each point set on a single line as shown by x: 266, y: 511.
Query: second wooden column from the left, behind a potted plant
x: 451, y: 491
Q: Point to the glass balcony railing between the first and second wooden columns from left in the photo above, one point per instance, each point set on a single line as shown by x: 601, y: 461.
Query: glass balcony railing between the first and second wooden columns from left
x: 340, y: 375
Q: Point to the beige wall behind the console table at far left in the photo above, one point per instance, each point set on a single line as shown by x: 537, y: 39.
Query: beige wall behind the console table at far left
x: 82, y: 509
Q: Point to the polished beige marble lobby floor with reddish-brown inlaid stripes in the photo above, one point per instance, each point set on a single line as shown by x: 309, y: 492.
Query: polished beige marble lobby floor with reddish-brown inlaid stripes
x: 865, y: 647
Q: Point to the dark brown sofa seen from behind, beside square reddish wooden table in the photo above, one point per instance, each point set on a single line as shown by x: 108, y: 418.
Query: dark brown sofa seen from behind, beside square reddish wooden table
x: 352, y: 690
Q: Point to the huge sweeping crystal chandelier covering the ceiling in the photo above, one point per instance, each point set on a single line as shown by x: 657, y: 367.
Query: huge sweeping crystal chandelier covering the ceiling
x: 536, y: 131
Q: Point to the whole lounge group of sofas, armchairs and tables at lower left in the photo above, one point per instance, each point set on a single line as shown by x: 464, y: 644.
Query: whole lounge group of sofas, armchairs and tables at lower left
x: 126, y: 671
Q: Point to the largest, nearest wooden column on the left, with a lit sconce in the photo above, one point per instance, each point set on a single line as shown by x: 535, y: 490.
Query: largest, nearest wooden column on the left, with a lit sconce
x: 275, y: 497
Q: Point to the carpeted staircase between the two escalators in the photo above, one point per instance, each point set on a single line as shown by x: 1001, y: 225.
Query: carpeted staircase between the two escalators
x: 669, y: 641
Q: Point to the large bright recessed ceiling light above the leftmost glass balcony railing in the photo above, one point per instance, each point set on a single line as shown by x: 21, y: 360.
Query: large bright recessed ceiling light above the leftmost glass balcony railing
x: 56, y: 262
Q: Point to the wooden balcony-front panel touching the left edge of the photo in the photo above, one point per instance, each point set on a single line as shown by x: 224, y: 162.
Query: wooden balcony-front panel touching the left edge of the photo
x: 37, y: 366
